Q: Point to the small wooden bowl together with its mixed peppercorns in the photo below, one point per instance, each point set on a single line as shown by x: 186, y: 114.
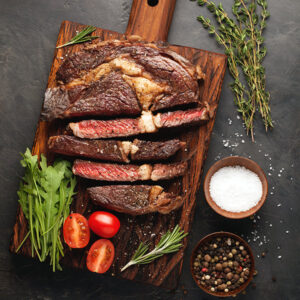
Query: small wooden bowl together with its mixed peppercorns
x: 222, y: 264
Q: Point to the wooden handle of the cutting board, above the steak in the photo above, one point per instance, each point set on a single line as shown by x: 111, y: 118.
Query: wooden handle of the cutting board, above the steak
x: 150, y: 22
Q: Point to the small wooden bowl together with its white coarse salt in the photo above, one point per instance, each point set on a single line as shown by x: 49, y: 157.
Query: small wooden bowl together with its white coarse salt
x: 235, y: 187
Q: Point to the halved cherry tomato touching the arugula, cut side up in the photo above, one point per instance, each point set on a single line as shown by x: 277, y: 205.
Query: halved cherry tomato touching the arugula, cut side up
x: 76, y: 231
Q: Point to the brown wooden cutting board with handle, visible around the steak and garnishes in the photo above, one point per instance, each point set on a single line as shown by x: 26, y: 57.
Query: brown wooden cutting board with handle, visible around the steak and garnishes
x: 152, y: 23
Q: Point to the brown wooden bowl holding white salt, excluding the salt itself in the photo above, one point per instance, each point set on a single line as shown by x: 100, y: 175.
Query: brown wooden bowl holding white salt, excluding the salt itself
x: 236, y: 161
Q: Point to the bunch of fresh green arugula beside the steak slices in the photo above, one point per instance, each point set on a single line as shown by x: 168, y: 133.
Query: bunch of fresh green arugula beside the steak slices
x: 45, y: 195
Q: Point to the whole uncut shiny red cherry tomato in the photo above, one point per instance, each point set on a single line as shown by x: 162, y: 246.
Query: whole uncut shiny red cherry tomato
x: 104, y: 224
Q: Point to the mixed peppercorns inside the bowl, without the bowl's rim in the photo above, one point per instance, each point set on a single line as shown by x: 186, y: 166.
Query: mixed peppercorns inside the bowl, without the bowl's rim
x: 222, y: 265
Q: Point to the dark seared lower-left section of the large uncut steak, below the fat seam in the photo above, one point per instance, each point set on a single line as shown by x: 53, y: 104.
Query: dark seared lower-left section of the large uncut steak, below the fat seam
x: 108, y: 96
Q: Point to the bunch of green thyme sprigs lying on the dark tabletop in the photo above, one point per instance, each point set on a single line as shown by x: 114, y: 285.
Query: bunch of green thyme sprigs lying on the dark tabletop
x: 243, y: 43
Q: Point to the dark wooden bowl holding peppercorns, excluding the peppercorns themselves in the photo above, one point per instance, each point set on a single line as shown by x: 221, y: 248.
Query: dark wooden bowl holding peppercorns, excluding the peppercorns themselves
x: 242, y: 242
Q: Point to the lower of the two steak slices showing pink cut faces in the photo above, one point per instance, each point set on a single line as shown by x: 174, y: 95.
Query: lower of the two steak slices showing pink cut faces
x: 114, y: 172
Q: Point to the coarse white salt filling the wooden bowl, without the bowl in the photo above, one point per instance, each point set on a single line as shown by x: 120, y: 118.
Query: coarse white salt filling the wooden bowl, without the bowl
x: 235, y: 189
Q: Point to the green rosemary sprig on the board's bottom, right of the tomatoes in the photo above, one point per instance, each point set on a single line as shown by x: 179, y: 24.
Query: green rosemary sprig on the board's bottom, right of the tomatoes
x: 169, y: 242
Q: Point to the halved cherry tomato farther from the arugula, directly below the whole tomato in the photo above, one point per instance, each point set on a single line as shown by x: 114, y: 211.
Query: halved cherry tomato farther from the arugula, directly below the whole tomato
x: 100, y: 256
